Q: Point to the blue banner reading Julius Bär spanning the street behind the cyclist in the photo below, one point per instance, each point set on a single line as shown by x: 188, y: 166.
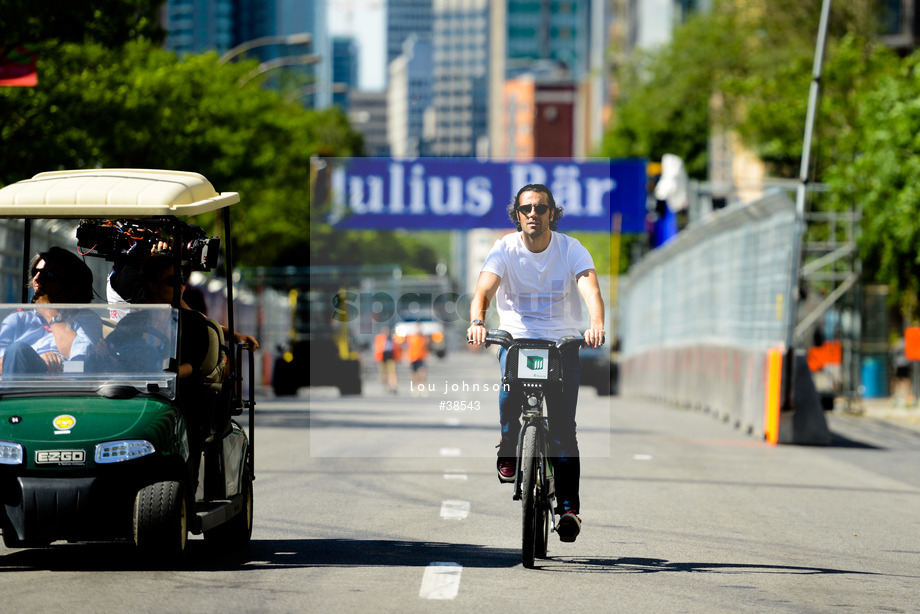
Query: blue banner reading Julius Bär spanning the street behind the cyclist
x: 463, y: 193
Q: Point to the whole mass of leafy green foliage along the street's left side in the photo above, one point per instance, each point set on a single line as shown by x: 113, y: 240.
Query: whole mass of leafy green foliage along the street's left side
x: 109, y: 96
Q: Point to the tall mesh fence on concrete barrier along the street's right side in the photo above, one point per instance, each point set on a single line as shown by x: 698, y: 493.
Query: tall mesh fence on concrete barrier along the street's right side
x: 699, y: 315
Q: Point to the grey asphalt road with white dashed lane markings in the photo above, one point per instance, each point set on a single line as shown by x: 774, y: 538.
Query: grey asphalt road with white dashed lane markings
x: 390, y: 504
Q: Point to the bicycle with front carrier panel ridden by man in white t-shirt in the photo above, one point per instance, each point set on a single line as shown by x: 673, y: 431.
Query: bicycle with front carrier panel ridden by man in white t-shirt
x: 534, y: 485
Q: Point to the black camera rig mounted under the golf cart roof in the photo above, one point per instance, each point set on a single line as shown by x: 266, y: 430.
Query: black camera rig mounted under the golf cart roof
x: 118, y: 239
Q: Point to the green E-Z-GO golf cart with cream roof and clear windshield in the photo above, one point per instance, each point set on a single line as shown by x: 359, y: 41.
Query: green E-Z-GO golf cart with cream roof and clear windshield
x: 101, y: 449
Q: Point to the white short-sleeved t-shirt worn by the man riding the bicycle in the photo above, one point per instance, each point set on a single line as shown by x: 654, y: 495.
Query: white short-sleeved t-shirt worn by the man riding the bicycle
x: 538, y: 297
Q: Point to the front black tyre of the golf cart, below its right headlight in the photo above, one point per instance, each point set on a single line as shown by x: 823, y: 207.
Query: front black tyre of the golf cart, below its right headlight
x: 160, y: 520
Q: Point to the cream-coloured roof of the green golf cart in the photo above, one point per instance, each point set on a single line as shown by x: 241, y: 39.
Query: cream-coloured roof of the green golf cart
x: 109, y: 193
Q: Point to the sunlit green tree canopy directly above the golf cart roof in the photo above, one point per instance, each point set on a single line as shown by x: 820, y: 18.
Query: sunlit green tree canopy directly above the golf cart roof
x: 140, y: 106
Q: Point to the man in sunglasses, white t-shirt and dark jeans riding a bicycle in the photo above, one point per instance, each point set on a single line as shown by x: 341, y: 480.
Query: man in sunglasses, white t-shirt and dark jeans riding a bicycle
x: 535, y: 274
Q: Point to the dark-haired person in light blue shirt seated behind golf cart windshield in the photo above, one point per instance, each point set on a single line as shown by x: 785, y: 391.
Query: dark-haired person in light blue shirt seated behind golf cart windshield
x: 42, y: 340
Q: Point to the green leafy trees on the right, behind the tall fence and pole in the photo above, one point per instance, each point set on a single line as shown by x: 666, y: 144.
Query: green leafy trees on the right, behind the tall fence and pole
x: 746, y: 66
